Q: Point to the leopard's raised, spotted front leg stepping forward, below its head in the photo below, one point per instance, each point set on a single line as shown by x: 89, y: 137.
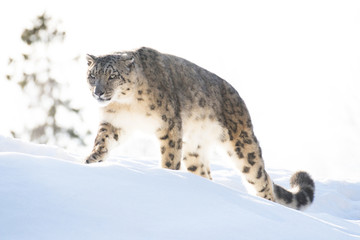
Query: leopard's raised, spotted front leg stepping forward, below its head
x: 107, y: 137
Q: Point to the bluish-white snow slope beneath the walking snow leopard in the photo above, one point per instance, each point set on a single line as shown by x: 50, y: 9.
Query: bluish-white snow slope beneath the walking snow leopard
x: 48, y: 193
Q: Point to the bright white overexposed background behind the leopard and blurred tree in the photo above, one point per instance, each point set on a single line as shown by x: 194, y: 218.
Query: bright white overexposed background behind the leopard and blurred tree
x: 295, y: 63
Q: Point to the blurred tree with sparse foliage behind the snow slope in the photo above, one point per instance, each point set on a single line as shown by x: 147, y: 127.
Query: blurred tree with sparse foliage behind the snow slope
x: 41, y: 87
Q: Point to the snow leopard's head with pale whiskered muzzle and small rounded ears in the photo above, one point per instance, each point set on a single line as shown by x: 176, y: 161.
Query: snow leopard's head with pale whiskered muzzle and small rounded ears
x: 110, y: 77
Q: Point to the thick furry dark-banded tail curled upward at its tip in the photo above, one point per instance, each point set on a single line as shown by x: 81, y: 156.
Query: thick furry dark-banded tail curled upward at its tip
x: 301, y: 194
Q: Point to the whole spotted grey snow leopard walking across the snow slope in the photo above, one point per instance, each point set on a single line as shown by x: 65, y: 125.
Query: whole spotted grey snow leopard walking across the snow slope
x: 190, y: 110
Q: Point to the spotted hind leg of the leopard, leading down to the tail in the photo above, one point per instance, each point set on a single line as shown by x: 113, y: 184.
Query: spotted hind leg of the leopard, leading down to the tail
x: 243, y: 146
